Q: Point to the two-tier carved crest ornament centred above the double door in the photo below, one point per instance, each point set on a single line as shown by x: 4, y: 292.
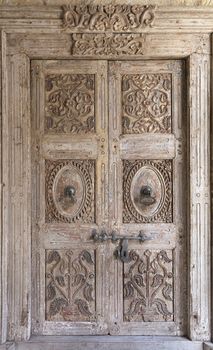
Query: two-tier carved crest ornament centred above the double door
x: 107, y: 30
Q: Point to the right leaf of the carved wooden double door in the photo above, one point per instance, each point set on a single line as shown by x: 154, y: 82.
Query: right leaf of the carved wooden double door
x: 147, y: 184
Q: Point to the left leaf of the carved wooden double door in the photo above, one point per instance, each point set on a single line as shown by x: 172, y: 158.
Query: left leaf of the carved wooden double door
x: 69, y: 180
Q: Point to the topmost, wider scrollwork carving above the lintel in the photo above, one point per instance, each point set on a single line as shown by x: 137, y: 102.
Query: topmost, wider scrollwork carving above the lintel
x: 102, y: 18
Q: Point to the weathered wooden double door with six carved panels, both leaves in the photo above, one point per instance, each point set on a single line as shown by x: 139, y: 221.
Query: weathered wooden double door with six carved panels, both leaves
x: 109, y: 197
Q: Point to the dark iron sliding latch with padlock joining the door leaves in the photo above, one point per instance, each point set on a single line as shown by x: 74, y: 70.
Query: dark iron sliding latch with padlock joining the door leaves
x: 121, y: 251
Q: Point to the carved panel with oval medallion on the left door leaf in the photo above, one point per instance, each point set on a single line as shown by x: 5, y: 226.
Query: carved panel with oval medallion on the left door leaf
x: 60, y: 176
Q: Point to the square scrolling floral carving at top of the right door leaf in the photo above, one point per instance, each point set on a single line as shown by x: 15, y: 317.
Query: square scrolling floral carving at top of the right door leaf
x: 146, y: 103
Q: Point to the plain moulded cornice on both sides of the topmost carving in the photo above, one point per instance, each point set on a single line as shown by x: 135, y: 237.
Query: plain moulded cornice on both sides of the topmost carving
x: 43, y: 19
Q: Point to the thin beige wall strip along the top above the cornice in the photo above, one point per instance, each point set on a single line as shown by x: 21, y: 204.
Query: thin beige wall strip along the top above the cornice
x: 157, y: 2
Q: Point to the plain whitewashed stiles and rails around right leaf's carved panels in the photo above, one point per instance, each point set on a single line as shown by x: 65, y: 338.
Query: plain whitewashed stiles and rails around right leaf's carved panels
x: 137, y: 146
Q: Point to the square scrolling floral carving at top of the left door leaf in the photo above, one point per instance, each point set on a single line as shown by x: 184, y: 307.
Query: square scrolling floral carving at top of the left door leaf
x: 69, y: 103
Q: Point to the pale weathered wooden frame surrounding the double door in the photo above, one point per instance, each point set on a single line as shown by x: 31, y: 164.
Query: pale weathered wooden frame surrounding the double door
x: 48, y: 33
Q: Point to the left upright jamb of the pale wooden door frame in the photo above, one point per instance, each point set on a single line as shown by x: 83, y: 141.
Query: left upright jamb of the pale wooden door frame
x: 19, y: 262
